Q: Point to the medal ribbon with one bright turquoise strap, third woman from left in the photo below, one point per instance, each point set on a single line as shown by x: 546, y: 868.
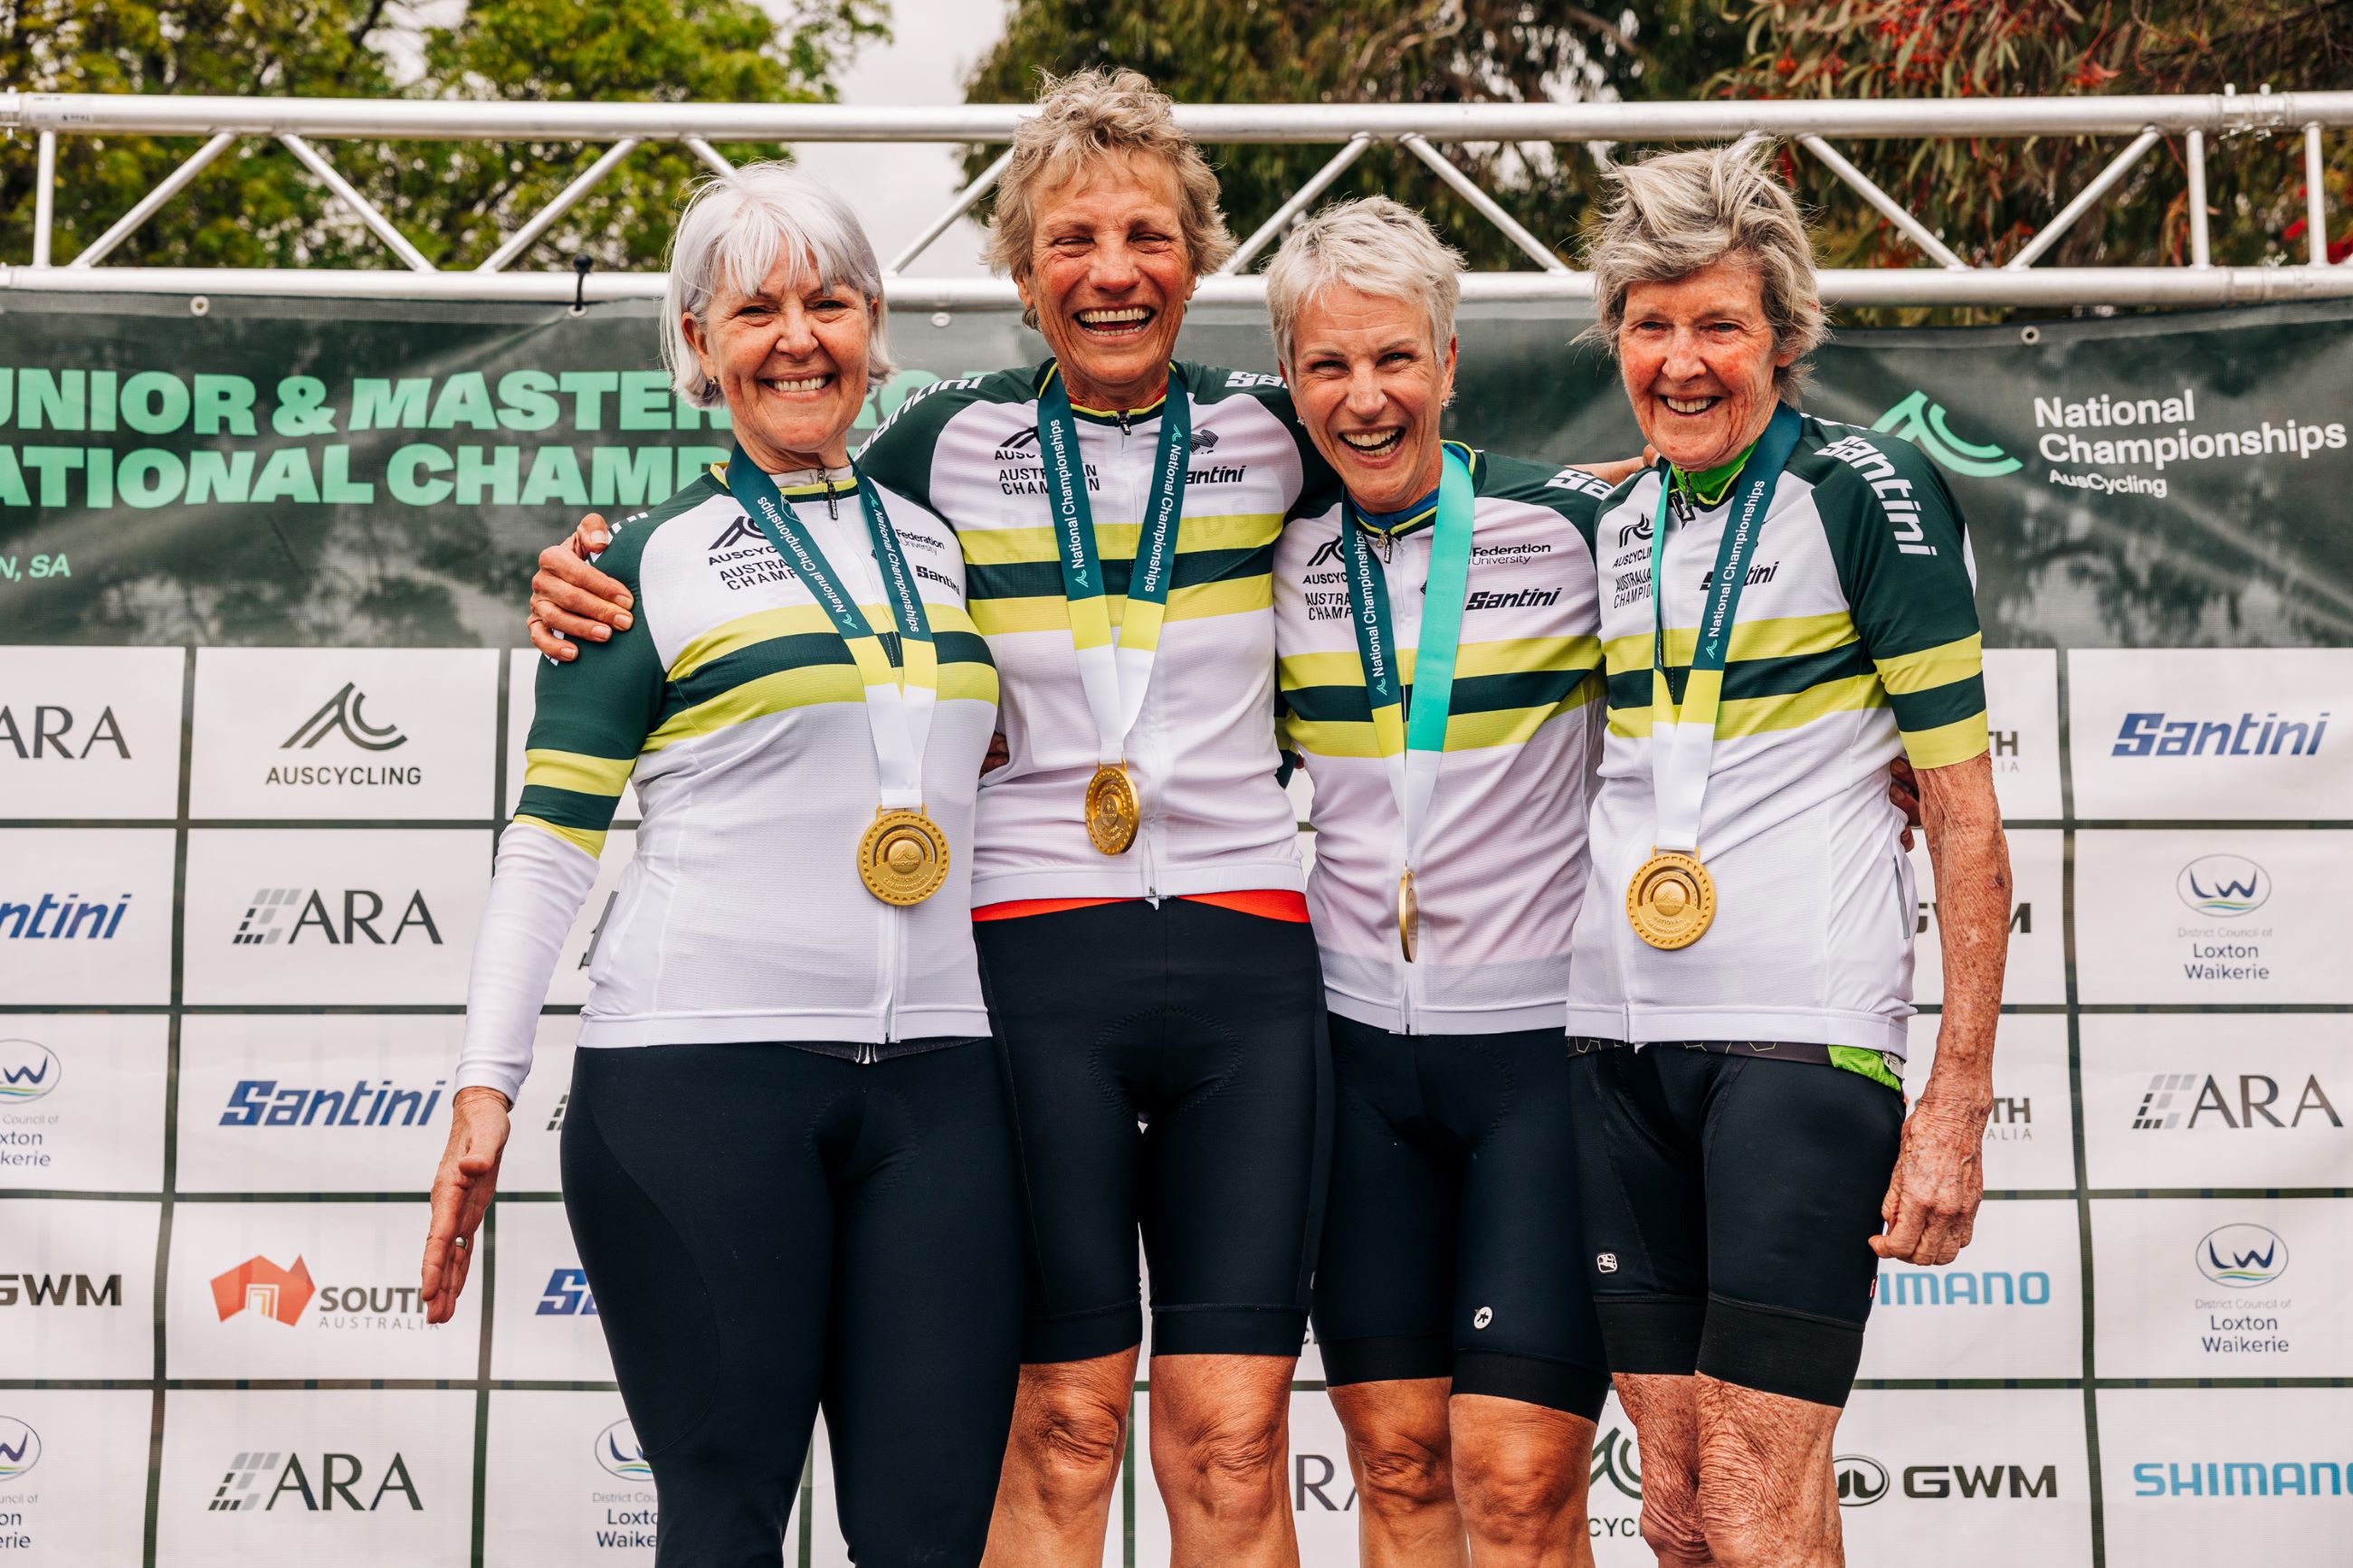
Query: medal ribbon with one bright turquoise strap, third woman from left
x: 1413, y: 742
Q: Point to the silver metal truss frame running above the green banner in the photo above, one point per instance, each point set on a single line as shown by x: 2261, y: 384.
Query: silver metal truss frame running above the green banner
x: 1418, y: 128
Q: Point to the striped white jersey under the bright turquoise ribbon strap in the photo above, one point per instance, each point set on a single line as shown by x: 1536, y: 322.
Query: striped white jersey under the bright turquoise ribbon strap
x: 1502, y: 859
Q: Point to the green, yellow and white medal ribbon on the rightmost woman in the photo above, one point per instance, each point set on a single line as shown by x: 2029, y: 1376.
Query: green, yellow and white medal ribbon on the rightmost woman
x: 1684, y: 739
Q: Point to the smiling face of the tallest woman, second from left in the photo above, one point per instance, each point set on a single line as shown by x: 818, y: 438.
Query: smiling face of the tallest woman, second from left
x: 1109, y: 279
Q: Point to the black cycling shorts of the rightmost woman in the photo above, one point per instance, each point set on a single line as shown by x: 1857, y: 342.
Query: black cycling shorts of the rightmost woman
x: 1731, y: 1205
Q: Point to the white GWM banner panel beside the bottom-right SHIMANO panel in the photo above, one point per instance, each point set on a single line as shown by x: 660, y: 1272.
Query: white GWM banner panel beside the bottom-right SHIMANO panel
x: 1966, y: 1477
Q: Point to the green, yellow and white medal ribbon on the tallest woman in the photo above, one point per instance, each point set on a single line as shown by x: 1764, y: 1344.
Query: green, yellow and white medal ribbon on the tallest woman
x: 1114, y: 674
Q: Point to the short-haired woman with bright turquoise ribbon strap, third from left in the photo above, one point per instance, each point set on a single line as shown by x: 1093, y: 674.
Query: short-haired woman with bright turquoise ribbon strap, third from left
x: 1451, y: 1308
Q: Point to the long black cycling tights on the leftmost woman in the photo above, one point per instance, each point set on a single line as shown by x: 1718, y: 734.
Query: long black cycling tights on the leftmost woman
x: 771, y: 1231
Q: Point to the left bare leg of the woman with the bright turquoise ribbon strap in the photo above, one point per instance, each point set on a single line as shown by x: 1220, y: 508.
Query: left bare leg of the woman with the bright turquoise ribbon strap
x: 1404, y: 1485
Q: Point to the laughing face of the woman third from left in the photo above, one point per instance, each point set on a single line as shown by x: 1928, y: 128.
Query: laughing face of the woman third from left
x: 1371, y: 389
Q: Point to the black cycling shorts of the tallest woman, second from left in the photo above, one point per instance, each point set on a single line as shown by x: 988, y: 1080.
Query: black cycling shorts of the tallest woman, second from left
x: 1206, y: 1028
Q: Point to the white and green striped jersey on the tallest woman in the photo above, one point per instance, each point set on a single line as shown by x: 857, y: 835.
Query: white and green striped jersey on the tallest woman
x: 1204, y: 749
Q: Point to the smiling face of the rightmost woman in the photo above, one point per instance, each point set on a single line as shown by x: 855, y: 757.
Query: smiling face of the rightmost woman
x: 1700, y: 363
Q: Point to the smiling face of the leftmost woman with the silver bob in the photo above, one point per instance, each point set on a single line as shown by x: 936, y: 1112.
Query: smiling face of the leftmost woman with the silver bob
x: 792, y: 363
